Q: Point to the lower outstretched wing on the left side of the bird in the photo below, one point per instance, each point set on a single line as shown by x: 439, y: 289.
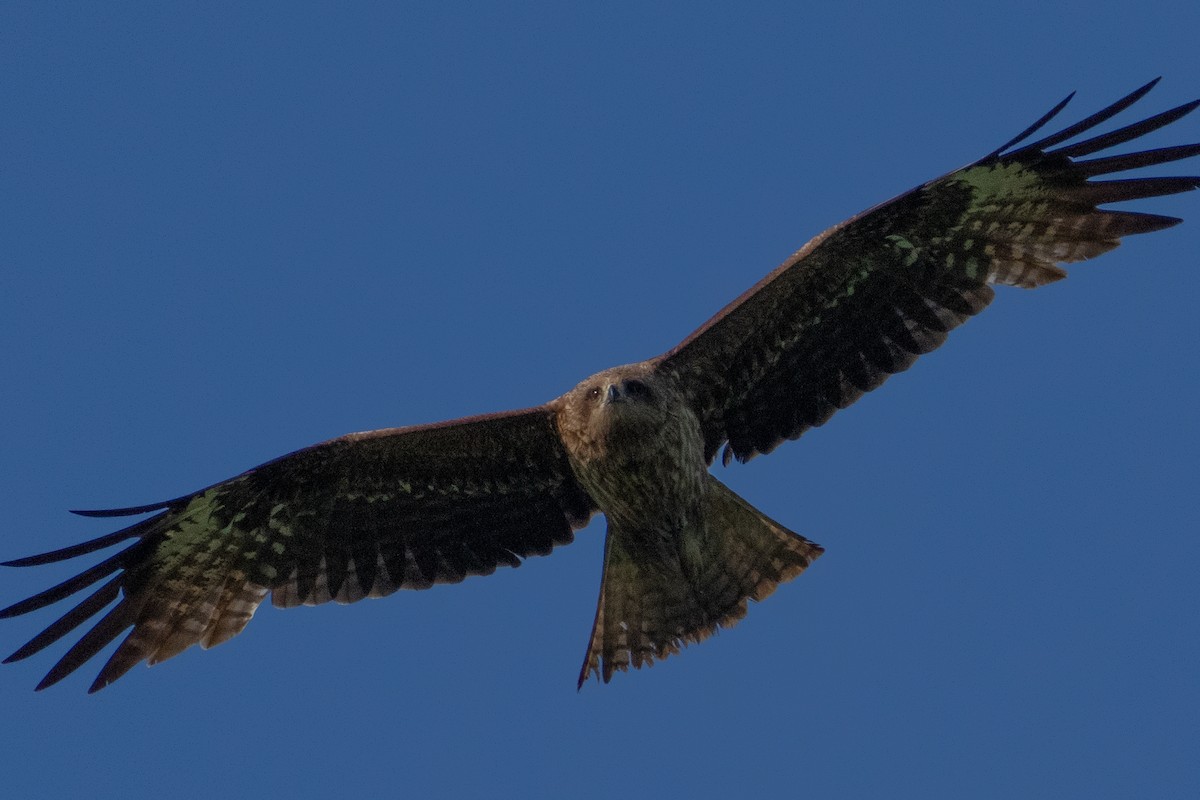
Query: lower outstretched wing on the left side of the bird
x: 356, y: 518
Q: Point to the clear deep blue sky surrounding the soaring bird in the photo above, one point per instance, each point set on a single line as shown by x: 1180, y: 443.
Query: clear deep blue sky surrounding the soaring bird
x: 237, y: 230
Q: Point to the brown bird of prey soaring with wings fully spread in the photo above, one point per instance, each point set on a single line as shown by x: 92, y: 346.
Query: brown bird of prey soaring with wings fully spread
x: 369, y: 514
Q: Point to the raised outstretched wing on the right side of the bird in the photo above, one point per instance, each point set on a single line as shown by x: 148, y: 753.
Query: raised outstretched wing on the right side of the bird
x: 865, y: 299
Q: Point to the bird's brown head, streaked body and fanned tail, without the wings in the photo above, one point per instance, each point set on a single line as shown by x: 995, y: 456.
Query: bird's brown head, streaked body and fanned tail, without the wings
x: 683, y: 552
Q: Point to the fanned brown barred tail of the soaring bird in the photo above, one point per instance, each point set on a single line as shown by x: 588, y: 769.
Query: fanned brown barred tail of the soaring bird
x: 656, y: 603
